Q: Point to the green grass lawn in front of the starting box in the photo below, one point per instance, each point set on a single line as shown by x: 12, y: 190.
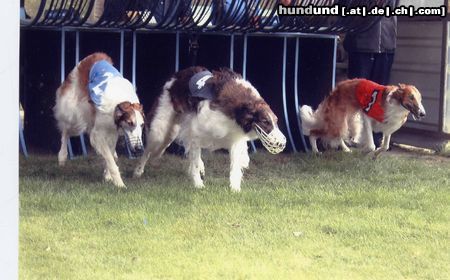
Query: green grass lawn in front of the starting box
x: 337, y: 216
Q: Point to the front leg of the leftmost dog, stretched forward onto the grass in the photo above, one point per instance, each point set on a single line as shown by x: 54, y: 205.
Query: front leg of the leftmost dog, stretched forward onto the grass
x: 100, y: 144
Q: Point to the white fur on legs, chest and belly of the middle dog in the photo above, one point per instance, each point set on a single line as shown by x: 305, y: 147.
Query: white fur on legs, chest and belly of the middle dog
x: 206, y: 129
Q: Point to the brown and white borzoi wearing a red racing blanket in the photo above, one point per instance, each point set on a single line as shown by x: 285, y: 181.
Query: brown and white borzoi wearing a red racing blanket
x: 381, y: 108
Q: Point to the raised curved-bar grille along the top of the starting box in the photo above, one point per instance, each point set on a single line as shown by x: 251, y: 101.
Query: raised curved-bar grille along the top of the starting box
x: 236, y: 16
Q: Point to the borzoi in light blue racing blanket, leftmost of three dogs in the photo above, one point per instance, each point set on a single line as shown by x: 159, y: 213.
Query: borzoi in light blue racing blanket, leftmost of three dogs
x: 96, y: 99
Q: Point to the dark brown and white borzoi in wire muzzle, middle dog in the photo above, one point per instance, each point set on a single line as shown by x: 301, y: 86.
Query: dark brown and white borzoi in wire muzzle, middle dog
x: 208, y: 110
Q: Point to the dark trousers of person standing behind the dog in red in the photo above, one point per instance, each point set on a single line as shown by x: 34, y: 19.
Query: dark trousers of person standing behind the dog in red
x: 372, y: 66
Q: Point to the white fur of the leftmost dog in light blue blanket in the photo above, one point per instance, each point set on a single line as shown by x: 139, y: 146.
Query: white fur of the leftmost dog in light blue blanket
x: 75, y: 115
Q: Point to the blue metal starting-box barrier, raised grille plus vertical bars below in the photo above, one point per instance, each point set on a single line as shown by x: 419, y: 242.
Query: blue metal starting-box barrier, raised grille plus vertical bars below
x: 229, y: 18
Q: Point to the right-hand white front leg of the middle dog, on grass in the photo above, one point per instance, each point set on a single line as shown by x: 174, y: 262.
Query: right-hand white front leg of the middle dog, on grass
x: 238, y: 160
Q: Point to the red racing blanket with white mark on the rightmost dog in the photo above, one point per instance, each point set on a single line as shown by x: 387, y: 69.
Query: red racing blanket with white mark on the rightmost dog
x: 369, y: 95
